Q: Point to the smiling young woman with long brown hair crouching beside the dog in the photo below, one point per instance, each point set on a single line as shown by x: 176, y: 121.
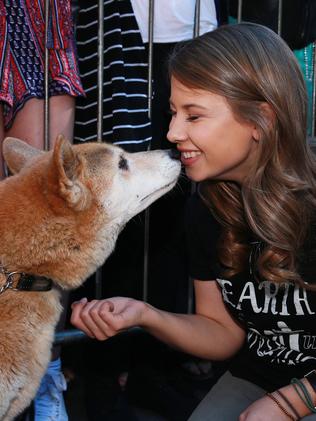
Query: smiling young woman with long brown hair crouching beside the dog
x: 238, y: 104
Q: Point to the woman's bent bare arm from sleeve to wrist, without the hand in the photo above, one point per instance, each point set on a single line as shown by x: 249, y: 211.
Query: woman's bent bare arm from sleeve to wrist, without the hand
x: 211, y: 333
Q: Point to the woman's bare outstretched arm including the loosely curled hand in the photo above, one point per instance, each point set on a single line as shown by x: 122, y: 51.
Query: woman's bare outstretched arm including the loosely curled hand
x: 211, y: 333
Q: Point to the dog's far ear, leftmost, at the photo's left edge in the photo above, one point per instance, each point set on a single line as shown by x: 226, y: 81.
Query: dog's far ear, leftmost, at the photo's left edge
x: 17, y: 153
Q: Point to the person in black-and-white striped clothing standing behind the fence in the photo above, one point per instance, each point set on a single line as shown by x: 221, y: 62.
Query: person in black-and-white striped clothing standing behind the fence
x: 125, y: 106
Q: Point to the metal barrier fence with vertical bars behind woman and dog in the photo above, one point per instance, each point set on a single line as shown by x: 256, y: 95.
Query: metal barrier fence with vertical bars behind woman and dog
x: 73, y: 334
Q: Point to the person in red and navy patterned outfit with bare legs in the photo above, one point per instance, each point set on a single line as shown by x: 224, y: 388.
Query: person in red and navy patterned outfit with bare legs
x: 22, y: 52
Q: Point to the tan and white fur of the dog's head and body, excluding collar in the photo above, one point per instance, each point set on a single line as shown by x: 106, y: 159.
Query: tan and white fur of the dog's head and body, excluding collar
x: 60, y: 215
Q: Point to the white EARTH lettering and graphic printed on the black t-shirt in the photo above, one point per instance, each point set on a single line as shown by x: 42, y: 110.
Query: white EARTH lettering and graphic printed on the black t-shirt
x: 280, y: 319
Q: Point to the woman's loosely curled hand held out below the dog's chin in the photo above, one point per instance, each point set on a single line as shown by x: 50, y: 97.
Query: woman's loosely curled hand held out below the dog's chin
x: 102, y: 319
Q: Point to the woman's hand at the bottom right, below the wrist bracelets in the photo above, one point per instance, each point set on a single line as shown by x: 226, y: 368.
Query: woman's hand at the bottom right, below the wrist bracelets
x: 264, y: 409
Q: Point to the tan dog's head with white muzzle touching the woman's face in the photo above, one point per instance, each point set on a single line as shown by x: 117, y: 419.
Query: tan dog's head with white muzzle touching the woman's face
x: 80, y: 197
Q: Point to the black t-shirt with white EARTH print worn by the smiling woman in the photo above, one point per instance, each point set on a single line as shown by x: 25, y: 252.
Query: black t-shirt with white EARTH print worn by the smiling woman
x: 280, y: 320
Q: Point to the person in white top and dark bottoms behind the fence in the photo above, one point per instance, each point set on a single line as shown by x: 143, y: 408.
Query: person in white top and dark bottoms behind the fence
x: 174, y: 21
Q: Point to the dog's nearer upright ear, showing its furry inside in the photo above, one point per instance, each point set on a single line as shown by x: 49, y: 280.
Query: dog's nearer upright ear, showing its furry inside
x: 69, y: 166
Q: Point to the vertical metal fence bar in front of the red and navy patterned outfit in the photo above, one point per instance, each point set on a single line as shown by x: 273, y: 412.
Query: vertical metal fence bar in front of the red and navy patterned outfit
x: 46, y: 80
